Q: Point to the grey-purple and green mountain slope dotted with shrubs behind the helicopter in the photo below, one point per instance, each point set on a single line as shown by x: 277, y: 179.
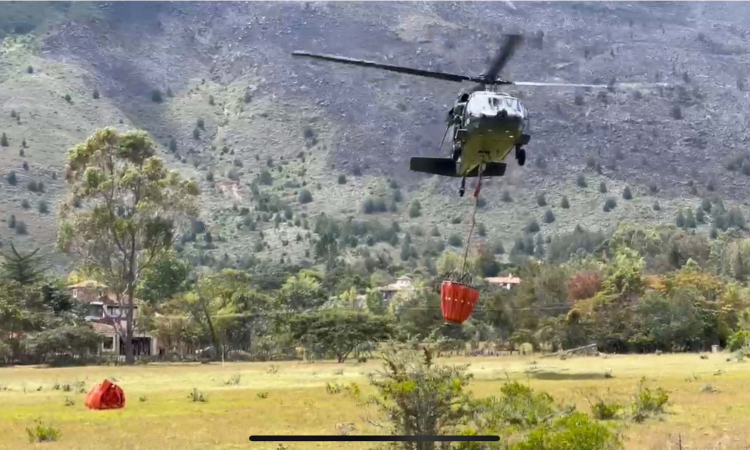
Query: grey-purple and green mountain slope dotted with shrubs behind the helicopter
x: 235, y: 104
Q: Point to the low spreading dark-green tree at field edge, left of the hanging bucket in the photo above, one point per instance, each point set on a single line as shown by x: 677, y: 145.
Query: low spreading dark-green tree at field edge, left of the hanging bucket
x: 340, y: 331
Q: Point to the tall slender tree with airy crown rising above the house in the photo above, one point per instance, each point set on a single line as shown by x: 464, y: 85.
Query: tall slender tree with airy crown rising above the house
x: 135, y: 207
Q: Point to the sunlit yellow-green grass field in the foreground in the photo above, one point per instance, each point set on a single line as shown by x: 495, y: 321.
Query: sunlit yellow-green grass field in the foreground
x: 159, y: 414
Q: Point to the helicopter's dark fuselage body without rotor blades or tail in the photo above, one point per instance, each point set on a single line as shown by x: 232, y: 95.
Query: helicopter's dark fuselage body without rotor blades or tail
x: 487, y: 127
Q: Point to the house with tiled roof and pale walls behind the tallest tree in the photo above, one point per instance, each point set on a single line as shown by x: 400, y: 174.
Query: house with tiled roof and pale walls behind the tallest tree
x: 107, y: 317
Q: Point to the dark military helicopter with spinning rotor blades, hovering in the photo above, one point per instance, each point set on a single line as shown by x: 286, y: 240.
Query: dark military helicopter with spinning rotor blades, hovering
x: 487, y: 124
